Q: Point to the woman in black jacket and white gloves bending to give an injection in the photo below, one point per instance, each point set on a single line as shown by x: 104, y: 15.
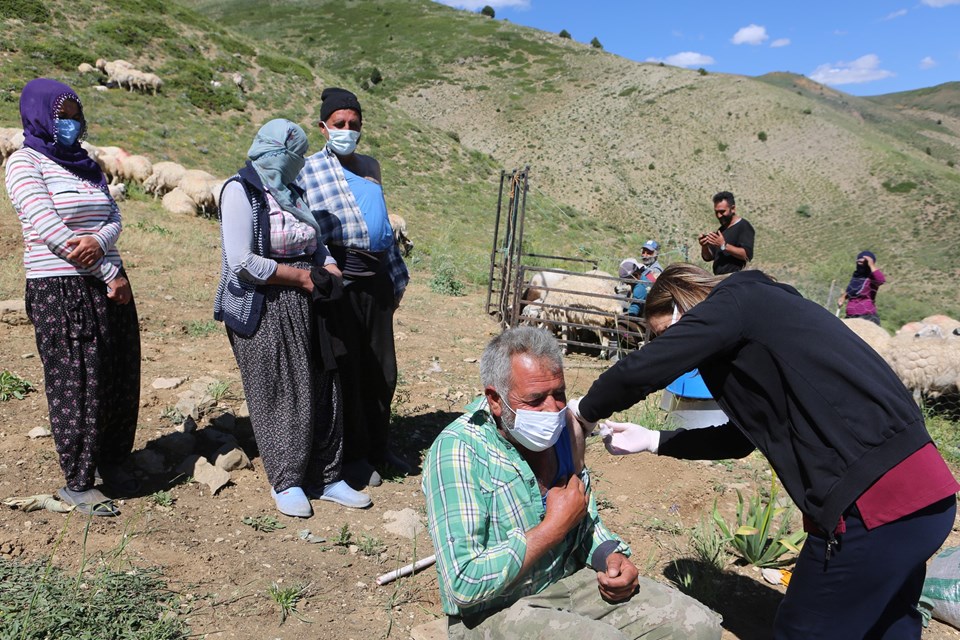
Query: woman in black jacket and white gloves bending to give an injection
x: 839, y: 428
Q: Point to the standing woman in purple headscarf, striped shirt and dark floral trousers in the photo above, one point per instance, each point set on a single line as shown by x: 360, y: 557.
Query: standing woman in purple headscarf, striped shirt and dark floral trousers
x: 77, y: 295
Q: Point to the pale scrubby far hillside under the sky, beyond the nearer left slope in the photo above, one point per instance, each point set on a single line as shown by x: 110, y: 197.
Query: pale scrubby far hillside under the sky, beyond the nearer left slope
x: 641, y: 147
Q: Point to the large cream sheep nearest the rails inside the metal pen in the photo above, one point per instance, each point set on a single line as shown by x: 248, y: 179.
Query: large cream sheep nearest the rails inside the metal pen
x: 580, y: 299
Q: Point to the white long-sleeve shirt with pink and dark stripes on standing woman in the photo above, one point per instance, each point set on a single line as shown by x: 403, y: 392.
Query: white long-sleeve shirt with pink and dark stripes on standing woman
x: 54, y: 205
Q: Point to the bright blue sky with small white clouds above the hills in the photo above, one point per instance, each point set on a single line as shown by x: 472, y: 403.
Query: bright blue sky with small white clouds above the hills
x: 860, y: 47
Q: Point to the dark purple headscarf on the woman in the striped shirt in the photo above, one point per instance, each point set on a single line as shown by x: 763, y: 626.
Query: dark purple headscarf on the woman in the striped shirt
x: 40, y: 101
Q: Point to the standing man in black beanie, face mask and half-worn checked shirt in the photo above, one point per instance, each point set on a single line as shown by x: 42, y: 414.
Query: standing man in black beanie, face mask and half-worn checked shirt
x: 344, y: 192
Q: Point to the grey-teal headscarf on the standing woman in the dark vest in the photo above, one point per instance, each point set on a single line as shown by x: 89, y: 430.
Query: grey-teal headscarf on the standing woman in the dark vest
x: 277, y: 155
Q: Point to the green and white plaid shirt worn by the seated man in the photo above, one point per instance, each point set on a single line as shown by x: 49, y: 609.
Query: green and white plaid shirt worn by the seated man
x: 482, y: 498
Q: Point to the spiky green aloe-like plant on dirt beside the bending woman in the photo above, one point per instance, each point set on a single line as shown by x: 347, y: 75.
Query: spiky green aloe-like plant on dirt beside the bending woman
x: 762, y: 530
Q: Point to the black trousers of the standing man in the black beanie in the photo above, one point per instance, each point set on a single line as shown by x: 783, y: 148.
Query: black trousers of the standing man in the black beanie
x: 368, y: 371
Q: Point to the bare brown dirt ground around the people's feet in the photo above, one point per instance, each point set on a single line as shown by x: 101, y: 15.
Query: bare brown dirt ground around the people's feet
x: 224, y: 568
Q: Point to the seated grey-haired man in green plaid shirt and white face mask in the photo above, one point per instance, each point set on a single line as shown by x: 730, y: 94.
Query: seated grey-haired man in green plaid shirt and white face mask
x: 521, y: 551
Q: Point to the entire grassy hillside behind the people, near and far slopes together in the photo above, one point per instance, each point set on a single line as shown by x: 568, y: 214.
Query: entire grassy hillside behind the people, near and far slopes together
x: 619, y: 150
